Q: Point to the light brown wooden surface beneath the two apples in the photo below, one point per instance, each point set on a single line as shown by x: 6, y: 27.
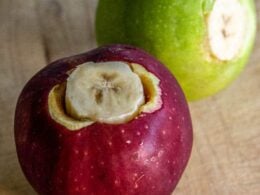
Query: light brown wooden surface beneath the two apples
x: 226, y: 153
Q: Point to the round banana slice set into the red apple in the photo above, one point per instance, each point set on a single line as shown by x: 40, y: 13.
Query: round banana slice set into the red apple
x: 107, y: 92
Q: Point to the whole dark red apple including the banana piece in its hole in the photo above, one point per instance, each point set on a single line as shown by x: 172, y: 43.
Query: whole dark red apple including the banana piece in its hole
x: 110, y: 121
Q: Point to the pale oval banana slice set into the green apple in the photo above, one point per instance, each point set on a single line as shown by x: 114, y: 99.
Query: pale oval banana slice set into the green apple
x: 227, y: 29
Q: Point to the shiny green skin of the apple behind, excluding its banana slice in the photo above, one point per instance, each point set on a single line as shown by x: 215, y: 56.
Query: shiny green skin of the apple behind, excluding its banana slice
x: 175, y: 32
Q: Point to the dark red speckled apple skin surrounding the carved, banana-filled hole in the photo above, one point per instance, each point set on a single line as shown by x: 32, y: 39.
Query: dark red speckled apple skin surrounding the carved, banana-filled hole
x: 145, y: 156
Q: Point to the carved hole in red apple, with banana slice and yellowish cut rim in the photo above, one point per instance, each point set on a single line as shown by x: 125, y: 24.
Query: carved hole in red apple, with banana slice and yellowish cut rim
x: 95, y: 92
